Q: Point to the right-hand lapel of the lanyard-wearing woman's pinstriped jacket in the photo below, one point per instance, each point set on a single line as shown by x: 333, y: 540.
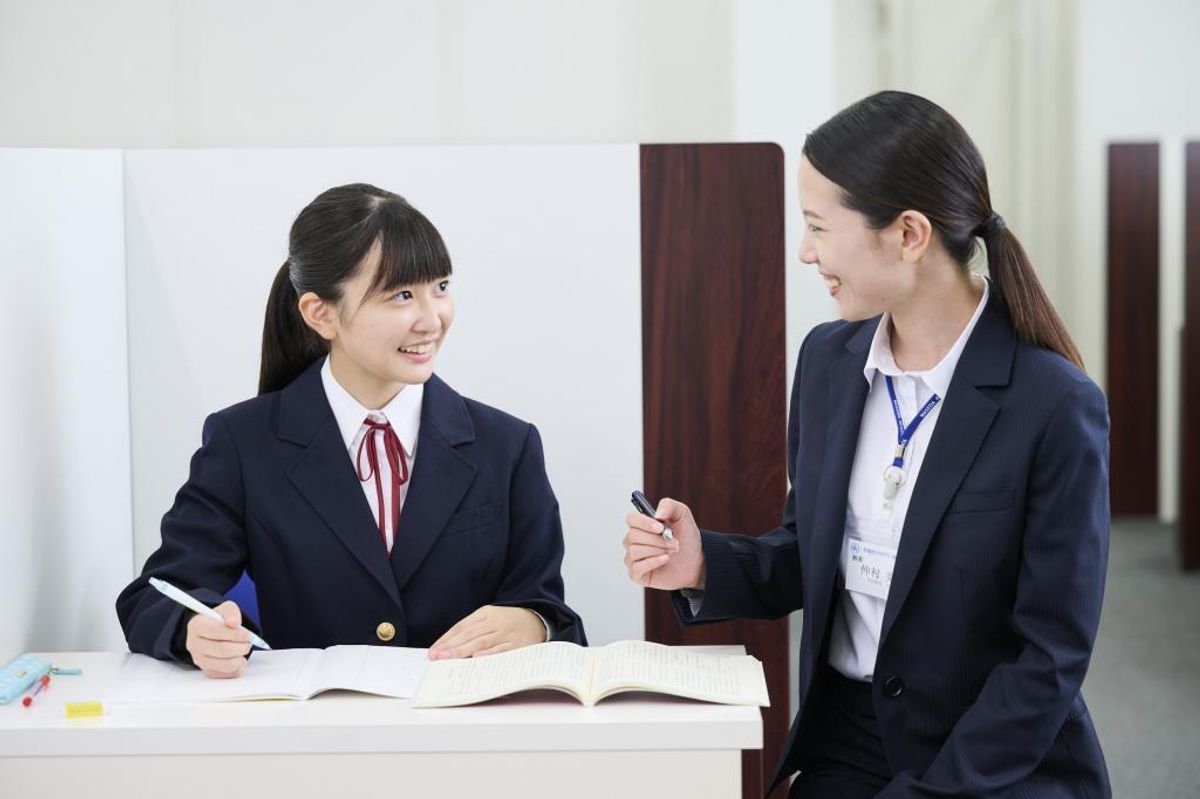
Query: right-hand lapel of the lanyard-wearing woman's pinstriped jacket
x: 965, y: 419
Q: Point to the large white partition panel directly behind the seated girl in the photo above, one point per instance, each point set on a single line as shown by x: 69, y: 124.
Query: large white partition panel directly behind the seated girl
x: 547, y: 249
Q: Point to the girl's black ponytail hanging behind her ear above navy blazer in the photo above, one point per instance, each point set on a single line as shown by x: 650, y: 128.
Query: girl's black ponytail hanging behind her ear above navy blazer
x: 290, y: 346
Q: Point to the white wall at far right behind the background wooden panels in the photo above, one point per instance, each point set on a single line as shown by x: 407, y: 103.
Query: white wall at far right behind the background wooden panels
x: 1139, y: 81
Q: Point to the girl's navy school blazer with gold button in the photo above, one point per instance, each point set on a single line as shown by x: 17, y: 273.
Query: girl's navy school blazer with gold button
x: 273, y: 491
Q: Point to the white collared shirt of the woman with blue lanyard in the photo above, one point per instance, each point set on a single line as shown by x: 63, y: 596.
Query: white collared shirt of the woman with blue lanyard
x: 859, y: 618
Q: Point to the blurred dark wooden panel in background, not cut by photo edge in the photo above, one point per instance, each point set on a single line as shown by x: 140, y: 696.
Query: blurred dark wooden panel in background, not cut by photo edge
x: 1133, y: 328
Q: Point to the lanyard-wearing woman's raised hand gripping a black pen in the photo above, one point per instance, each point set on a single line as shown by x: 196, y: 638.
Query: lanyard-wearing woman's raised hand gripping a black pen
x: 655, y: 562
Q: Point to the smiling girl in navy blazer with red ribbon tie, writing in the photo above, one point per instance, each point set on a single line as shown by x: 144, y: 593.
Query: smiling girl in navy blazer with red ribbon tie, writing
x: 369, y: 501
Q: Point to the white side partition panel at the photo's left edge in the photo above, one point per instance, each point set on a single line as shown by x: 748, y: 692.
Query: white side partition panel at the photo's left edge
x: 67, y: 532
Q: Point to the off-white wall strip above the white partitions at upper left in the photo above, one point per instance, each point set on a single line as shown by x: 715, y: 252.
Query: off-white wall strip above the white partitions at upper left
x: 365, y: 73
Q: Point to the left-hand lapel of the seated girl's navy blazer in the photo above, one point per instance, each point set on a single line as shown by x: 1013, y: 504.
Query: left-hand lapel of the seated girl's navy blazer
x: 325, y: 476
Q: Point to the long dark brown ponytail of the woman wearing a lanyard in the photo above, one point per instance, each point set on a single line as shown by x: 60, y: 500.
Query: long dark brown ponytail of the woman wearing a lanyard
x: 1018, y: 285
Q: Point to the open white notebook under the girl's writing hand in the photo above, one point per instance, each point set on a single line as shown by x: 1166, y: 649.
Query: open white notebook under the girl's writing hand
x: 278, y: 675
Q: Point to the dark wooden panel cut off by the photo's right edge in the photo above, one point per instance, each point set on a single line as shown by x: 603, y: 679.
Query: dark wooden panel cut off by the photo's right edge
x: 1190, y: 405
